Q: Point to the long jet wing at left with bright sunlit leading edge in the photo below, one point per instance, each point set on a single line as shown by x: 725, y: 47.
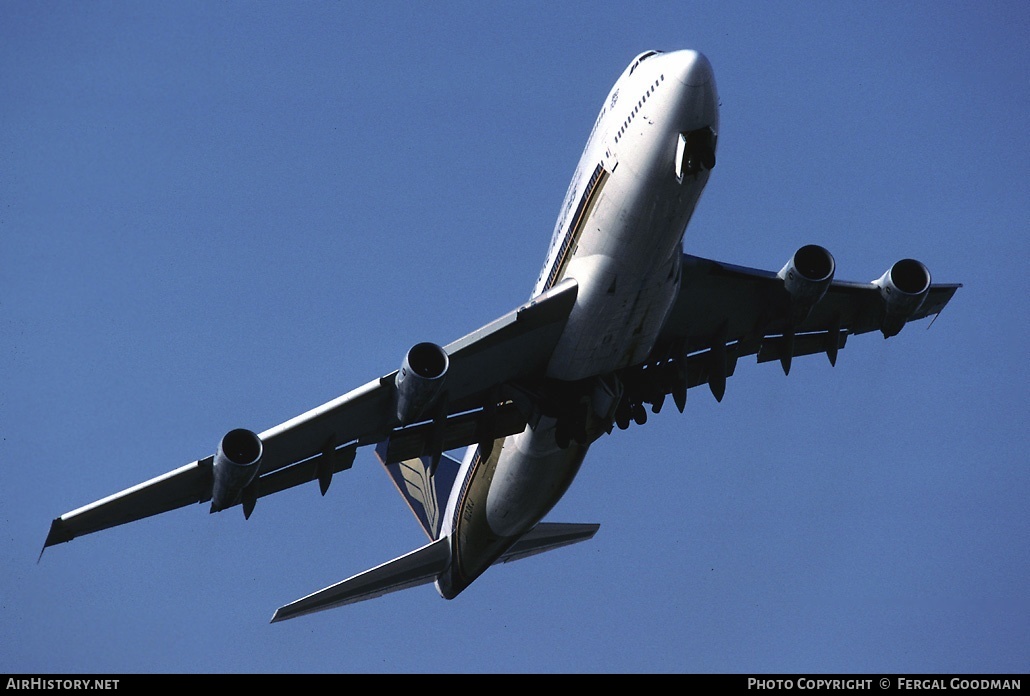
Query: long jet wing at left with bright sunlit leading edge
x: 473, y: 406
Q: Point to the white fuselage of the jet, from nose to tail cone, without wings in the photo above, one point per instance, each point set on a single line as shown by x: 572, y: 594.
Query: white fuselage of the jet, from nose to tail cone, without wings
x: 621, y: 235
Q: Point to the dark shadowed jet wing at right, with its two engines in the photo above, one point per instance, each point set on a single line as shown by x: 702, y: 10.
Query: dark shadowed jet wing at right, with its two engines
x: 726, y: 312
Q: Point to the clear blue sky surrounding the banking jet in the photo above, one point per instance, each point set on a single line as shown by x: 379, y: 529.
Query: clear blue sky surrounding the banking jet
x: 221, y: 215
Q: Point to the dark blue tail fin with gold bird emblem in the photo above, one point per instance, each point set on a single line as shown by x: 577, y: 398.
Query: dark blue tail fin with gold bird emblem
x: 424, y: 488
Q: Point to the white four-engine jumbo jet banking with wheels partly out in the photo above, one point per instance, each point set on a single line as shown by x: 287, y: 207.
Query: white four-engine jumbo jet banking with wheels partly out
x: 621, y: 319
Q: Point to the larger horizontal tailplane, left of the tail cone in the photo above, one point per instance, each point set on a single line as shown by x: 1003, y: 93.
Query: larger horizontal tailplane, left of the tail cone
x: 419, y: 568
